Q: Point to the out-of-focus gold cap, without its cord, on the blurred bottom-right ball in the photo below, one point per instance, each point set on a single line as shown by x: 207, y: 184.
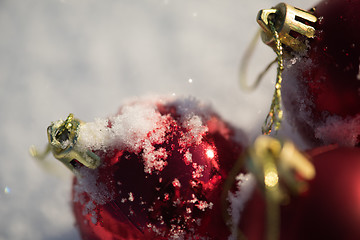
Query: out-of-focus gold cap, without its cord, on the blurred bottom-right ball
x: 270, y: 159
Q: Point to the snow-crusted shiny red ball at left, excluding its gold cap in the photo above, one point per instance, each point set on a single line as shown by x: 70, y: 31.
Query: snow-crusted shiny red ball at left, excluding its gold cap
x: 163, y: 166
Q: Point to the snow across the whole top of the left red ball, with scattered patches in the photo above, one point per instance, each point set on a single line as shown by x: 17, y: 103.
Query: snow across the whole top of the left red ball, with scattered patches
x: 139, y: 126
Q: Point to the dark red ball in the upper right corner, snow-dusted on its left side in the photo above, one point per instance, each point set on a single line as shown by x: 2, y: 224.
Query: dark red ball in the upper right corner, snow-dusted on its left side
x: 321, y: 88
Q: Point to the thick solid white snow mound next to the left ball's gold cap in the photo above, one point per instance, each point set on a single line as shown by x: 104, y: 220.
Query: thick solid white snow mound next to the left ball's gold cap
x: 129, y: 130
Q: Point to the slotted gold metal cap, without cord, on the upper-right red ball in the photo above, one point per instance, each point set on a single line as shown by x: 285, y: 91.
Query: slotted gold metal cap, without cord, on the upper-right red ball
x: 290, y: 22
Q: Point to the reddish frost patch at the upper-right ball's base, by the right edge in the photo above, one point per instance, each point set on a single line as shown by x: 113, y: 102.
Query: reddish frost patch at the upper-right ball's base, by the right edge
x: 338, y: 130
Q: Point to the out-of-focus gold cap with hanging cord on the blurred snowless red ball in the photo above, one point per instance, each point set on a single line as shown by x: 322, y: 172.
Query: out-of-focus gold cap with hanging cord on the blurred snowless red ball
x: 276, y: 164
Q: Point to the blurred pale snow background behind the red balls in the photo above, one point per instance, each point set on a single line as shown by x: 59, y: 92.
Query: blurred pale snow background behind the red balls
x: 87, y: 57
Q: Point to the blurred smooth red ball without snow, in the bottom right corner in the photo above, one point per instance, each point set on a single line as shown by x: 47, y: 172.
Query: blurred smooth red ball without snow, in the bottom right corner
x: 329, y: 209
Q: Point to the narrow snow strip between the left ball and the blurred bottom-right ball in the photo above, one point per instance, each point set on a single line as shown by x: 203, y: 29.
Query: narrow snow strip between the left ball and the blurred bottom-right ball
x: 246, y: 186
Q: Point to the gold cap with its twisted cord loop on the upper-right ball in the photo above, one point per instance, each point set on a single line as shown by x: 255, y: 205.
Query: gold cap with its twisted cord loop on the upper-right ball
x: 281, y: 25
